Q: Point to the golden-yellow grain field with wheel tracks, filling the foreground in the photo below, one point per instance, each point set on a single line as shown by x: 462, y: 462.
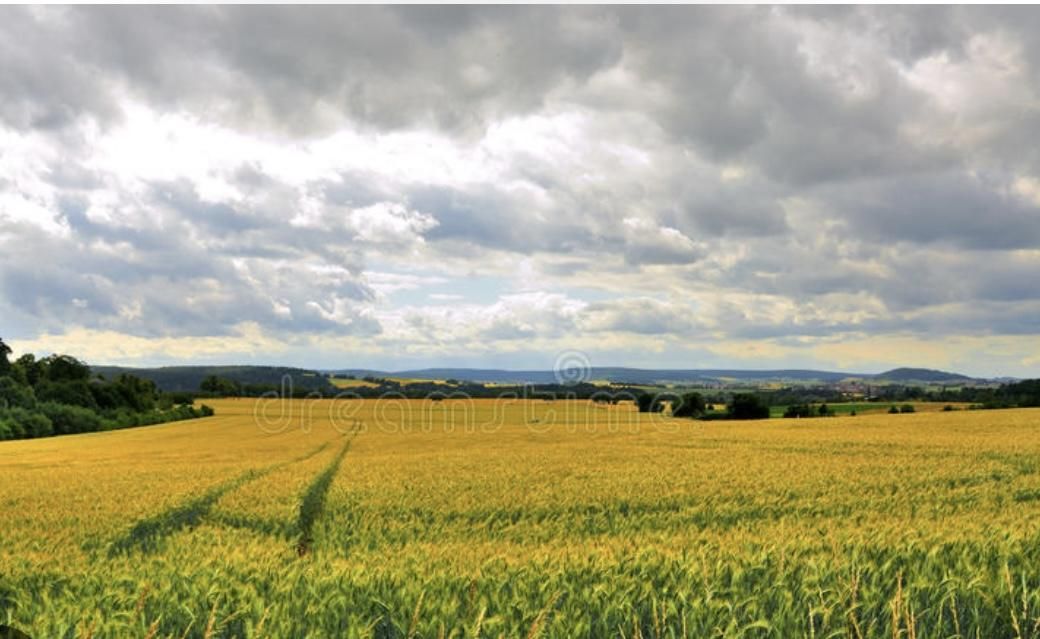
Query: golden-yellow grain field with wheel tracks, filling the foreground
x: 526, y: 519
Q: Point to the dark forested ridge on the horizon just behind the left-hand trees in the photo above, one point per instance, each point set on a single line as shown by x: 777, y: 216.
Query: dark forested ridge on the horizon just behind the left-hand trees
x: 189, y: 378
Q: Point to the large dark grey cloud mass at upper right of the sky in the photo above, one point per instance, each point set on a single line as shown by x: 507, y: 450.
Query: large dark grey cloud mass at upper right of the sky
x: 744, y: 87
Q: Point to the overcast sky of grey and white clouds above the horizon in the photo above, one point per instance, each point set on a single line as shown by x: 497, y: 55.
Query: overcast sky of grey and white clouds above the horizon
x: 850, y: 189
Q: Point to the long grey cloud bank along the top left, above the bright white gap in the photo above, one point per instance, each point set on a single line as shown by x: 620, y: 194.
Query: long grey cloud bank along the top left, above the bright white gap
x: 300, y: 71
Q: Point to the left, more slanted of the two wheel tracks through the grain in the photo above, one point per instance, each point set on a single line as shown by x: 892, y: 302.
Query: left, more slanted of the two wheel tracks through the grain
x: 147, y: 533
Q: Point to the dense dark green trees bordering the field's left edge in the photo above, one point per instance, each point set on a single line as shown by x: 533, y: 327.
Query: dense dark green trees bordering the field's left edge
x: 60, y: 396
